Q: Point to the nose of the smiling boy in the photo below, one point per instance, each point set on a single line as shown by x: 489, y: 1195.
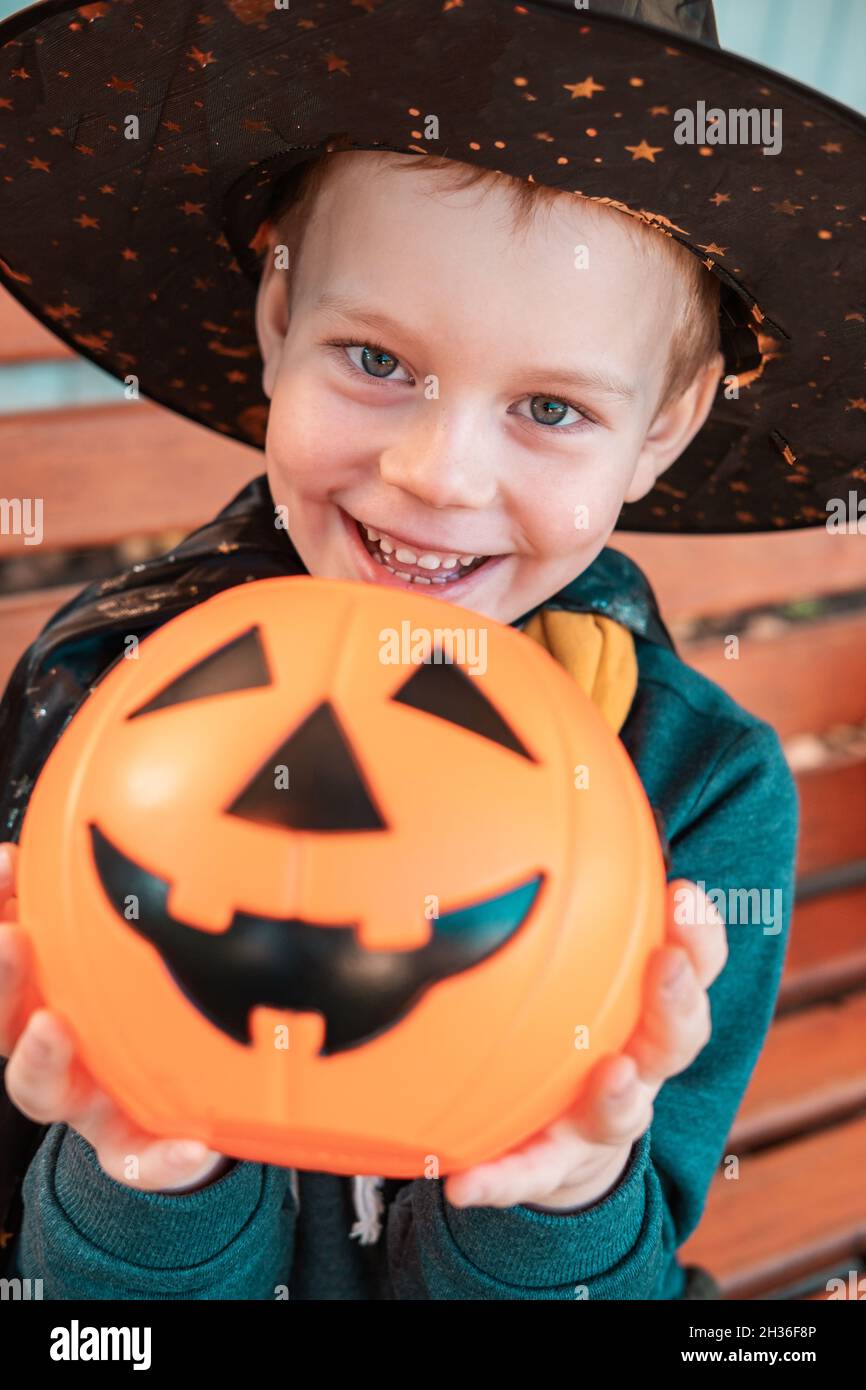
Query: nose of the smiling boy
x: 444, y: 465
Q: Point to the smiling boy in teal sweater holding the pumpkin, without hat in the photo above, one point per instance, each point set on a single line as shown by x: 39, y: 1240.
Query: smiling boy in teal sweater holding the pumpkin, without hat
x: 458, y: 366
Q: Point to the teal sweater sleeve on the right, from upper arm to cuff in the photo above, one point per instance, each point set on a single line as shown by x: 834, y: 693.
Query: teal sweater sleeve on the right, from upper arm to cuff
x: 740, y: 840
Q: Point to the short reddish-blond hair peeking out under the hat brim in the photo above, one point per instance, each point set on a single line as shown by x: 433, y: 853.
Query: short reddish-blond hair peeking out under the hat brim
x: 696, y: 337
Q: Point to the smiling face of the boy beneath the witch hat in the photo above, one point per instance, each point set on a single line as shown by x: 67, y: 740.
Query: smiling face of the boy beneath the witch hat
x: 490, y: 425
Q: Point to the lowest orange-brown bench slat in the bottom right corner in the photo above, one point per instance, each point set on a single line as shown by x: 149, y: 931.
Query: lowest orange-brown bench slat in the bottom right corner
x: 794, y: 1209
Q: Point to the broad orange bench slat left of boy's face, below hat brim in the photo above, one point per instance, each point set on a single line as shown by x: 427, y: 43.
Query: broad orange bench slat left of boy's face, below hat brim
x: 112, y: 472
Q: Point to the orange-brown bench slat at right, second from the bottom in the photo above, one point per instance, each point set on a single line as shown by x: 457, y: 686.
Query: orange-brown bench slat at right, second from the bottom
x: 812, y: 1071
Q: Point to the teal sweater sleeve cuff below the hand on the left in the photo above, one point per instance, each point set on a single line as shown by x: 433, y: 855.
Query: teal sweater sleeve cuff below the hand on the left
x: 88, y: 1236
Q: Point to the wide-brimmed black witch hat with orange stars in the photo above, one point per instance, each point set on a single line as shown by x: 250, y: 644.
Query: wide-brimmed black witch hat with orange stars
x: 145, y: 144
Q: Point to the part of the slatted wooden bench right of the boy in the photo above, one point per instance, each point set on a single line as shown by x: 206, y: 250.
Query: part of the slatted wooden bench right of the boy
x: 796, y: 1217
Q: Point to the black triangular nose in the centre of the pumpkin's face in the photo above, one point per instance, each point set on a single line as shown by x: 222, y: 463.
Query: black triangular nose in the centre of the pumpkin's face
x: 326, y: 789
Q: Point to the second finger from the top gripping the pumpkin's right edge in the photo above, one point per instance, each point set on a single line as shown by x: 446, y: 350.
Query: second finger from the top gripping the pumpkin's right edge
x: 676, y: 1024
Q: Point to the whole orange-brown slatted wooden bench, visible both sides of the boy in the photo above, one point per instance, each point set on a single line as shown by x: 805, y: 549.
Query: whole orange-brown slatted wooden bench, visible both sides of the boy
x: 797, y: 1214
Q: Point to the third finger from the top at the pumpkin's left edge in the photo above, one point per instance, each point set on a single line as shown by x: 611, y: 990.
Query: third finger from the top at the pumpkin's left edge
x: 41, y: 1075
